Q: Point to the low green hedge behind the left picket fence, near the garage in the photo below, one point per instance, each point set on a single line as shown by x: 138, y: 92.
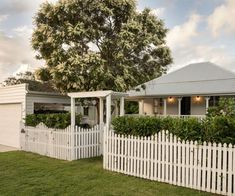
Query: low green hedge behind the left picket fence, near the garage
x: 57, y: 121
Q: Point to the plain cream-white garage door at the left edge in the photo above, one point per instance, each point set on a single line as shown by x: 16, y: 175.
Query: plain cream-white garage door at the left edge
x: 10, y: 116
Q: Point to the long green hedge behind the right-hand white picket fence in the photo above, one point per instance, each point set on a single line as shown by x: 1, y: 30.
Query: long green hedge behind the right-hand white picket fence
x: 216, y: 129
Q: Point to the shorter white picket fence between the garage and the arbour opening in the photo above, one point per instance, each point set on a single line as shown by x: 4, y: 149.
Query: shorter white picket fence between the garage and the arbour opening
x: 67, y: 144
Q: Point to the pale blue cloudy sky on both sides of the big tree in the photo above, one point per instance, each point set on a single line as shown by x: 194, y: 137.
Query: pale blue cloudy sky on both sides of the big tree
x: 199, y: 30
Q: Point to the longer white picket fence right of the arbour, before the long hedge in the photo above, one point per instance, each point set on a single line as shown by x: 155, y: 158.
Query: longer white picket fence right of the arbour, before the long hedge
x: 163, y: 157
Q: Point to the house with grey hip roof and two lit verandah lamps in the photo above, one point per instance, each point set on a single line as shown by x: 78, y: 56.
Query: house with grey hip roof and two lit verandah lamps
x: 187, y: 91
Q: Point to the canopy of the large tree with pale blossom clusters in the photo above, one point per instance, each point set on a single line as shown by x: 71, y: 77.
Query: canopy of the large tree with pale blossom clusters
x: 94, y: 45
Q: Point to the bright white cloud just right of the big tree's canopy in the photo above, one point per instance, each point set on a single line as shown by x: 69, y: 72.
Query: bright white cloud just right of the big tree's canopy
x: 181, y: 35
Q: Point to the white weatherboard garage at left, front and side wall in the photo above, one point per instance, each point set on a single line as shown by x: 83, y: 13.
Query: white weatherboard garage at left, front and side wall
x: 17, y: 101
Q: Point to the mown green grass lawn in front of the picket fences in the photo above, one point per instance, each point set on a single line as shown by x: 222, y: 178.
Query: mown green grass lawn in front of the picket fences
x: 29, y: 174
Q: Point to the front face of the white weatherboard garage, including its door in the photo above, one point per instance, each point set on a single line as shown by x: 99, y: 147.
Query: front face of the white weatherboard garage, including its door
x: 12, y: 111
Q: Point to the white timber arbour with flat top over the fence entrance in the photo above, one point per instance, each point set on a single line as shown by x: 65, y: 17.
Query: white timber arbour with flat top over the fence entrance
x: 107, y: 95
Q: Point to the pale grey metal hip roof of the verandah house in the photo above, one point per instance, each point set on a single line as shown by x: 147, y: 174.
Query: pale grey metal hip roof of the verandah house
x: 195, y: 79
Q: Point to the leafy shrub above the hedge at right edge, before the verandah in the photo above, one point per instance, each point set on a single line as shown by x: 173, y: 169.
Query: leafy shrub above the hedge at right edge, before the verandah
x: 226, y: 107
